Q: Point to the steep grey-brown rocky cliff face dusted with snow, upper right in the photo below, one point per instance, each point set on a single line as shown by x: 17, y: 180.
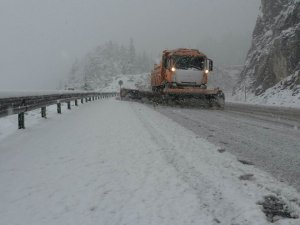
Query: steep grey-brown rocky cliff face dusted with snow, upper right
x: 274, y: 57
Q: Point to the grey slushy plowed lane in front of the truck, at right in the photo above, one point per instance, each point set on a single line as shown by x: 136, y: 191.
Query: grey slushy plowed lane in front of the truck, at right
x: 269, y: 140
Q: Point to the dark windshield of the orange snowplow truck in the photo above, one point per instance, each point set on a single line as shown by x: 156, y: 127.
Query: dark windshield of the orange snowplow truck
x: 188, y: 62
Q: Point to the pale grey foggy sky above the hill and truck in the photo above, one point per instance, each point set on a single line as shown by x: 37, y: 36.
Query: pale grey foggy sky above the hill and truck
x: 40, y: 39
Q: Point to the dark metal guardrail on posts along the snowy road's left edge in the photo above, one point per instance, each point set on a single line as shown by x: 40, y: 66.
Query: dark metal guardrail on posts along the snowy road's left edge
x: 20, y: 105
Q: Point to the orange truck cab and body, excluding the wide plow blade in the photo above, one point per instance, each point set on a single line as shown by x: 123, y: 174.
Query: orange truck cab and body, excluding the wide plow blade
x: 182, y: 71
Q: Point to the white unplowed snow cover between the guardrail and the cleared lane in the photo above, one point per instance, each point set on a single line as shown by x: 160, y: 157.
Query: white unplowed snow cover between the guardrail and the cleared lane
x: 113, y: 162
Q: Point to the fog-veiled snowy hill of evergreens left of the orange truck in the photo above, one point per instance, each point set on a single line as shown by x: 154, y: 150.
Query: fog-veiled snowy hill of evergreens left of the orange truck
x: 105, y: 62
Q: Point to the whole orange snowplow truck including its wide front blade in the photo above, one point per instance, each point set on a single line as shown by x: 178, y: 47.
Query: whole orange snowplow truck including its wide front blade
x: 182, y: 75
